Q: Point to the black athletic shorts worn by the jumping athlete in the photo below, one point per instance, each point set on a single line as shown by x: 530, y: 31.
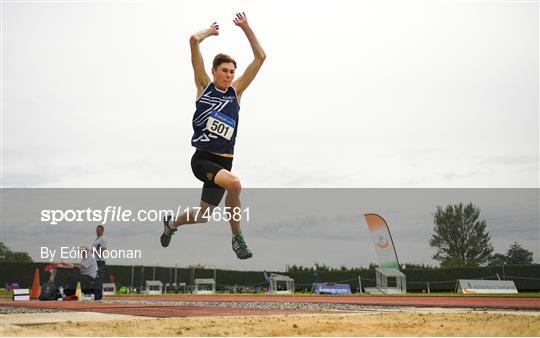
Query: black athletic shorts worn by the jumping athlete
x: 205, y: 166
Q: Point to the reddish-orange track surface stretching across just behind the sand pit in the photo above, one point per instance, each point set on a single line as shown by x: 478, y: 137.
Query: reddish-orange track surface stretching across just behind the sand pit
x: 230, y: 305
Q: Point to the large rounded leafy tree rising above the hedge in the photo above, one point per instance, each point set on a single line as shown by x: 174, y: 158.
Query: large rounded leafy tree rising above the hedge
x: 460, y: 239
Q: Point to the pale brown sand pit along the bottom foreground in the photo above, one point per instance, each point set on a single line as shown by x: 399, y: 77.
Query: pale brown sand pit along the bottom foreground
x: 397, y: 323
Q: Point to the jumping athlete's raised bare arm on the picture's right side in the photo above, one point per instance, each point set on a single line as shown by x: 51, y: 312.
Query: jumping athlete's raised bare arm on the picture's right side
x: 258, y: 53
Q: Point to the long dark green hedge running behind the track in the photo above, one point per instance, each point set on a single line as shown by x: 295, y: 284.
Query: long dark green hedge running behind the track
x: 526, y: 277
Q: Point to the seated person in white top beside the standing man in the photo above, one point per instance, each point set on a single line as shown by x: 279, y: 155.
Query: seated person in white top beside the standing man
x: 88, y: 271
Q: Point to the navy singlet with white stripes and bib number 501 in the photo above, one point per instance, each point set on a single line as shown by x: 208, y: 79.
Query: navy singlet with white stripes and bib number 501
x: 215, y: 121
